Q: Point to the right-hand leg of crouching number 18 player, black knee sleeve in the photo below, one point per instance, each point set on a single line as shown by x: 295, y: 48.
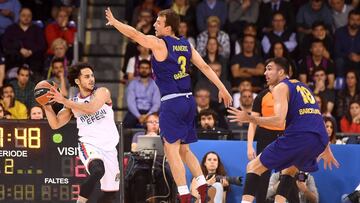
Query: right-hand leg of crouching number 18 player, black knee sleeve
x: 287, y: 183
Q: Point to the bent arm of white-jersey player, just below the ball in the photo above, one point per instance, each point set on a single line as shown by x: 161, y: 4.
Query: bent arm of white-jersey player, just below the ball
x: 59, y: 120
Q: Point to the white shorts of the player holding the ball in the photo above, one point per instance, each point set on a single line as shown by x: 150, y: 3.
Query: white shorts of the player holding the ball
x: 110, y: 180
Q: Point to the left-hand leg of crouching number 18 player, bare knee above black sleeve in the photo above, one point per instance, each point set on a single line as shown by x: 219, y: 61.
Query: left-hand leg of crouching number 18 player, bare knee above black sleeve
x: 254, y: 170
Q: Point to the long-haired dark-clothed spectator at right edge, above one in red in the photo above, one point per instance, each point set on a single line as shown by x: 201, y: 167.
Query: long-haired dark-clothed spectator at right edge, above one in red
x: 349, y: 93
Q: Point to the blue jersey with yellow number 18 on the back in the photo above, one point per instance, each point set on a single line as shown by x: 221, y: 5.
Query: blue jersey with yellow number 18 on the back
x: 303, y: 112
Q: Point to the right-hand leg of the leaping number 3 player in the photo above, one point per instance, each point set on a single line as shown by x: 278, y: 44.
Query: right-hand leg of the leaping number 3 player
x: 192, y: 162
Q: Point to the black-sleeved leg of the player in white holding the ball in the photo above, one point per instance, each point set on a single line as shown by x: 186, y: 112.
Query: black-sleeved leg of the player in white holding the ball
x: 96, y: 171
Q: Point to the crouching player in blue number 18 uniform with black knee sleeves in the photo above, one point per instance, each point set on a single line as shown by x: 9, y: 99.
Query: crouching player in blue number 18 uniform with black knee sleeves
x: 304, y: 138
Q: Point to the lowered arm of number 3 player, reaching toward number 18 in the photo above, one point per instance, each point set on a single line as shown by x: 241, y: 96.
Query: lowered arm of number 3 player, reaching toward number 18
x: 199, y: 62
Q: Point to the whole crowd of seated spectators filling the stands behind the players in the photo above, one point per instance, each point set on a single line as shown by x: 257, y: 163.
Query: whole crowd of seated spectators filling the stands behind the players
x: 320, y: 38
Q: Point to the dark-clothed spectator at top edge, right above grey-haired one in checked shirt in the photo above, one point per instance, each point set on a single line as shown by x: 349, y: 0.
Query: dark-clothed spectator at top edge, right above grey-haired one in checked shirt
x: 208, y: 8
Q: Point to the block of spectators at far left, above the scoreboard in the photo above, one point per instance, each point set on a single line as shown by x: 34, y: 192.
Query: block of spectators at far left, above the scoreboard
x: 36, y: 43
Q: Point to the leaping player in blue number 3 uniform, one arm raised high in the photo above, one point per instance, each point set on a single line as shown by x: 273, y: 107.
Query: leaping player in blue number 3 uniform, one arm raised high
x: 170, y: 61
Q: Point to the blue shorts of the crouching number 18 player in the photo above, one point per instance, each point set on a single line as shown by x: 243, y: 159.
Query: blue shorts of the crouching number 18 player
x: 298, y: 149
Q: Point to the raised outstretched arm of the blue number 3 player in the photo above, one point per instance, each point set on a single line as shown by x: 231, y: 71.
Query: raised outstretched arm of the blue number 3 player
x: 148, y: 41
